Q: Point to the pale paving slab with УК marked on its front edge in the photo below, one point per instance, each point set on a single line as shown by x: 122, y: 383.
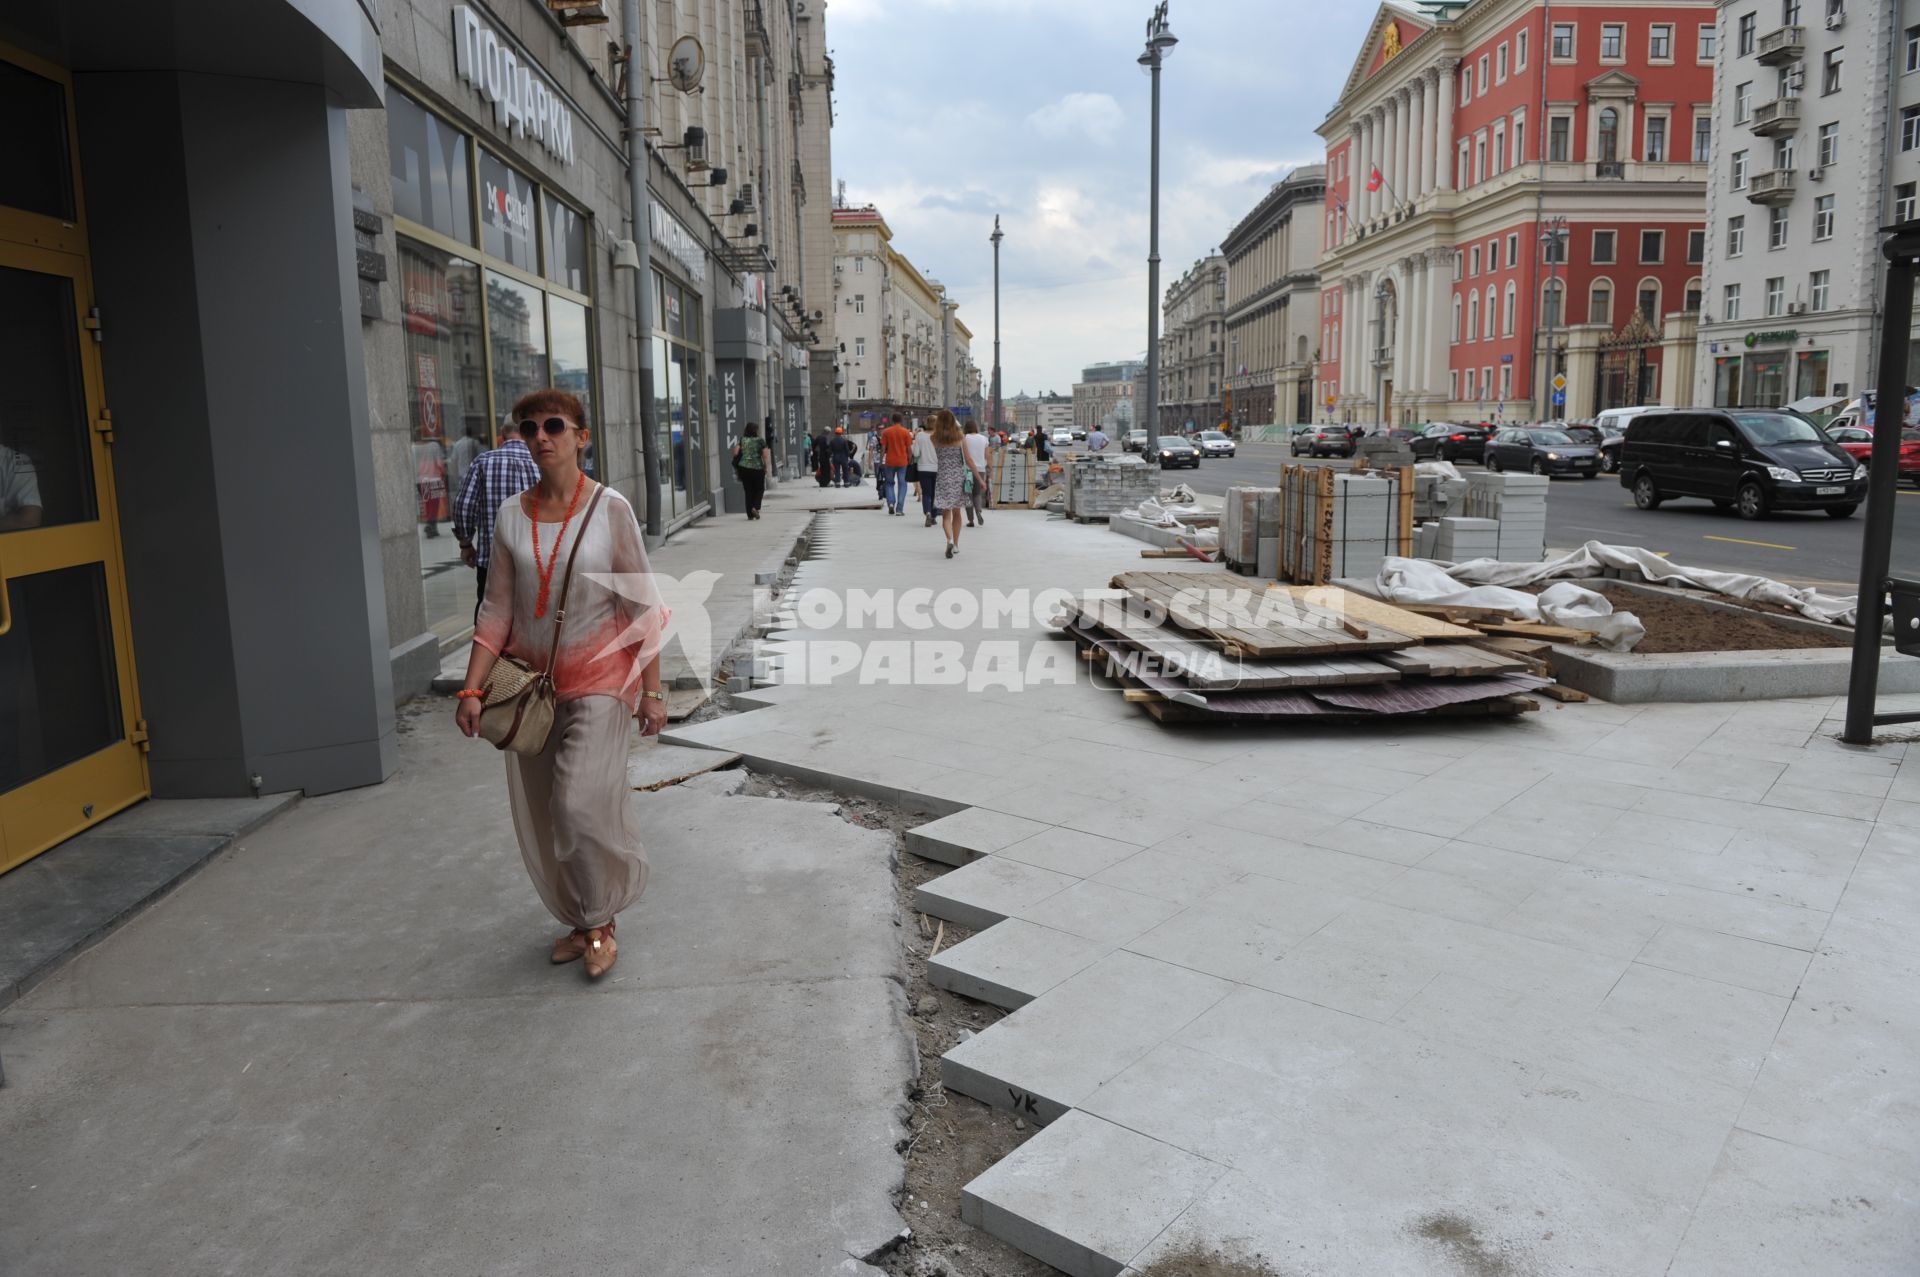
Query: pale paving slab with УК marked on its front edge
x: 1053, y: 1053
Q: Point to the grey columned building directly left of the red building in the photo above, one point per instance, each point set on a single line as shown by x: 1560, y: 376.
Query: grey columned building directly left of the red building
x: 1274, y: 302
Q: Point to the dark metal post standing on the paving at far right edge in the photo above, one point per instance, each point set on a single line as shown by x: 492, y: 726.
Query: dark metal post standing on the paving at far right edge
x: 1883, y: 489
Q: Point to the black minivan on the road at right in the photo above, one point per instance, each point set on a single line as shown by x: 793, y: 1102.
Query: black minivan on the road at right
x: 1754, y: 462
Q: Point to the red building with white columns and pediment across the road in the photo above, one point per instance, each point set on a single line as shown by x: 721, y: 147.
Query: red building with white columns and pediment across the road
x: 1508, y: 180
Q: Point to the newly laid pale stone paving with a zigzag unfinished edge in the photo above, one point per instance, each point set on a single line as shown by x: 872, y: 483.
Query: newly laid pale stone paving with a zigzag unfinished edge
x: 1600, y: 990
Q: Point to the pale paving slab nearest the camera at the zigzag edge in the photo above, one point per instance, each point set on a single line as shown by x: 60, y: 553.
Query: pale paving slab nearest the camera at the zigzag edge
x: 1088, y: 1195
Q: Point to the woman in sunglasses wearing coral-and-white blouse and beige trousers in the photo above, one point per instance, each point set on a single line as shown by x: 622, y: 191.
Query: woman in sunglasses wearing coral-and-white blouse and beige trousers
x: 573, y: 804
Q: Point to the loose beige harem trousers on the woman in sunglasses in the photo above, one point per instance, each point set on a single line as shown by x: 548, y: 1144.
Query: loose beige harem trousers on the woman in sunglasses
x: 573, y: 809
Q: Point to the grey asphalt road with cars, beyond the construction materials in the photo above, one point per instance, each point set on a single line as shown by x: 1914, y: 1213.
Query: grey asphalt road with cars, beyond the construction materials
x: 1794, y: 548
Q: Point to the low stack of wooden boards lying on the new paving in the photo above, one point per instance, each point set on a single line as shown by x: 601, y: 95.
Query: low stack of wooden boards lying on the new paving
x: 1211, y: 648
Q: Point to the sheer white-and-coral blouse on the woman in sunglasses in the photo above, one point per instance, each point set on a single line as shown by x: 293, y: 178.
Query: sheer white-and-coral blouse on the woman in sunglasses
x: 615, y: 617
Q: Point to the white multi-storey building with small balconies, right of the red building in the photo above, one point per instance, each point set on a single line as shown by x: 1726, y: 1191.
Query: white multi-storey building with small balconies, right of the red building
x: 1821, y: 149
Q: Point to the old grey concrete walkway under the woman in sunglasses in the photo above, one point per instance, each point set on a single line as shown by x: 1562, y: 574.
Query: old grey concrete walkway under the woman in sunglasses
x: 341, y: 1049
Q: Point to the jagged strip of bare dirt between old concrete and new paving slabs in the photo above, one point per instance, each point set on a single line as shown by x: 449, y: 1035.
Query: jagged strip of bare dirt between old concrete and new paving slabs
x: 951, y: 1138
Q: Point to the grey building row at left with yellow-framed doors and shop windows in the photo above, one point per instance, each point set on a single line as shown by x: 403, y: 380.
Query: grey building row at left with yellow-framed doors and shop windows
x: 389, y: 224
